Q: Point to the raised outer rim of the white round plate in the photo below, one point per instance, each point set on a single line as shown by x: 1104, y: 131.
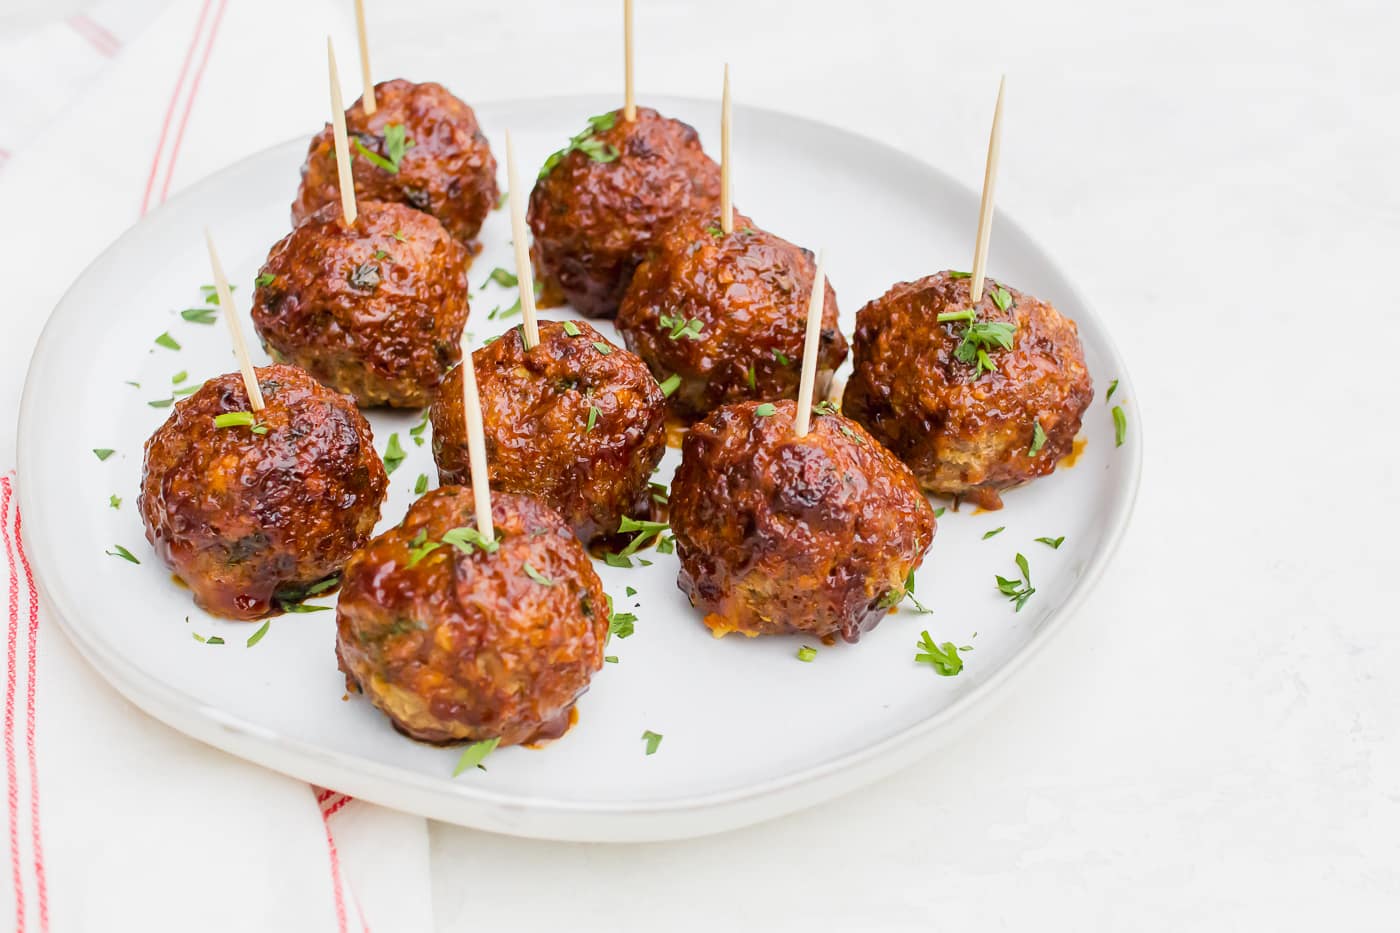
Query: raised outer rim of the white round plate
x: 692, y: 815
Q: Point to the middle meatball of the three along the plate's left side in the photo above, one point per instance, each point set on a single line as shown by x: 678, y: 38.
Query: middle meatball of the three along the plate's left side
x: 374, y: 310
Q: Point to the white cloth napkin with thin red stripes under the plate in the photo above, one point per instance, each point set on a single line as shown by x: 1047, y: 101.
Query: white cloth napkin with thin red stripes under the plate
x: 114, y: 820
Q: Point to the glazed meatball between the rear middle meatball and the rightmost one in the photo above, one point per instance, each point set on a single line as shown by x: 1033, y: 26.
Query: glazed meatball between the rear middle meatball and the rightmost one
x: 727, y: 315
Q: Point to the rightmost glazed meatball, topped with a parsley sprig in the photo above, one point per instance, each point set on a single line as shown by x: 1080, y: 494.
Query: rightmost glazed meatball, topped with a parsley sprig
x: 968, y: 431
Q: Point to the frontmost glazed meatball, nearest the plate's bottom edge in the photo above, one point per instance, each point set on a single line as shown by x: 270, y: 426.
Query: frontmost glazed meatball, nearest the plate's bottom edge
x: 456, y: 642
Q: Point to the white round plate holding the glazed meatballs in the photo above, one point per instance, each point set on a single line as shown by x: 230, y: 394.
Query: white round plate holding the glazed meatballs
x: 750, y: 731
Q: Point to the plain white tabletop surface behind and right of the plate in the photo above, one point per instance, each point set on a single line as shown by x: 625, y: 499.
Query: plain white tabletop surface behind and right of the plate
x: 1216, y: 740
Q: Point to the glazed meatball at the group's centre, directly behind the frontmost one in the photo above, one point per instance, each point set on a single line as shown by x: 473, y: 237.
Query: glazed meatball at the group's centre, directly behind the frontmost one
x: 573, y: 421
